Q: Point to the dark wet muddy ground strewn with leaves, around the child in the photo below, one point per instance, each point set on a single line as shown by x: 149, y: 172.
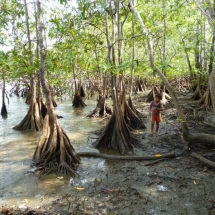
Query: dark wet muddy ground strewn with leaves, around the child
x: 176, y: 186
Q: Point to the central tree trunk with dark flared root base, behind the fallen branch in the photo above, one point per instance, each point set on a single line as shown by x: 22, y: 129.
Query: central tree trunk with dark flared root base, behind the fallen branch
x: 116, y: 135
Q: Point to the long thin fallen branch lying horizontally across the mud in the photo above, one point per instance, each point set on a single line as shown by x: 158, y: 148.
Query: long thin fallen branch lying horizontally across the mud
x: 128, y: 158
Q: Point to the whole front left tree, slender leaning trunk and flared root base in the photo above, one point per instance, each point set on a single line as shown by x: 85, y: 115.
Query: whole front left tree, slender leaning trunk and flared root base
x: 54, y: 152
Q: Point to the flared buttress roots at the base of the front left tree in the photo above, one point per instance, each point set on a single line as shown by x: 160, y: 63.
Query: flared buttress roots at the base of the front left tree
x: 54, y: 152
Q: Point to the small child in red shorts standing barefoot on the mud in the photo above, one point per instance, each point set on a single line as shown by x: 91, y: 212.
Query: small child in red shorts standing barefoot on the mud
x: 155, y: 107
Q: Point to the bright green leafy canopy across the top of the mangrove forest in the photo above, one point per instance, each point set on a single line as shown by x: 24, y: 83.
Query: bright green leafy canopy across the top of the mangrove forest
x: 77, y: 42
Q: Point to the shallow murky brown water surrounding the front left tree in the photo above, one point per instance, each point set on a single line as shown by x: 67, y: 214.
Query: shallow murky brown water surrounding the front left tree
x: 18, y: 185
